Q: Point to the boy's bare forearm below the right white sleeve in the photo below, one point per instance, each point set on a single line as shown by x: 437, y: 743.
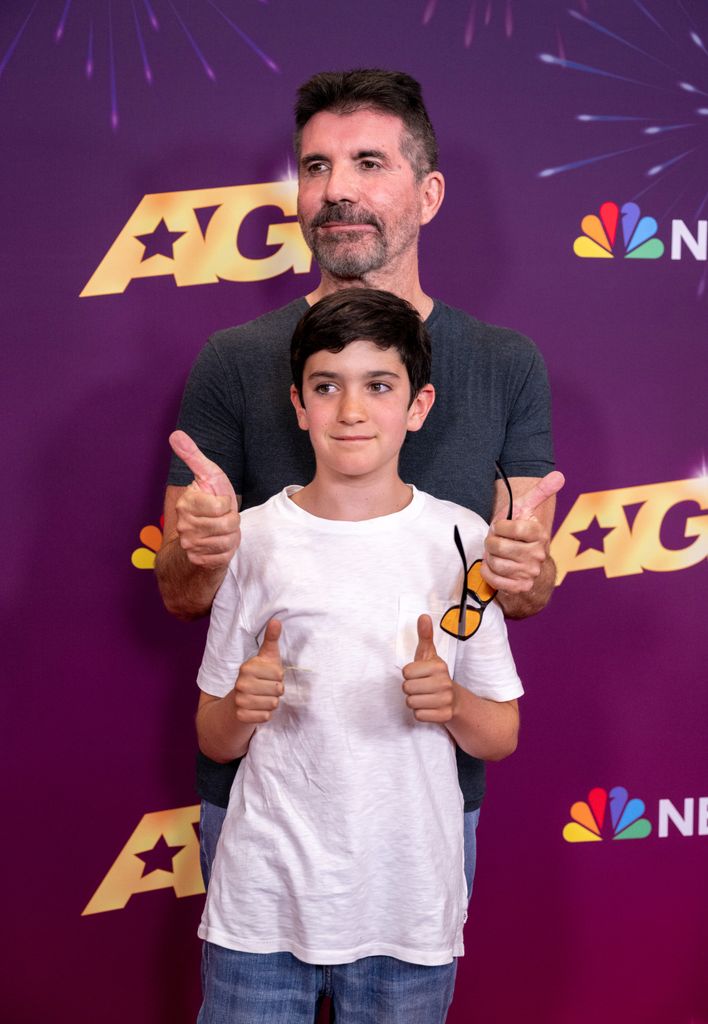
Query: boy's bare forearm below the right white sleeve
x: 486, y: 730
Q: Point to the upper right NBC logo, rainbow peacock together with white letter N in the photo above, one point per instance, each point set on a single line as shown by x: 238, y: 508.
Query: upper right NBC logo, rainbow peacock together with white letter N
x: 623, y: 232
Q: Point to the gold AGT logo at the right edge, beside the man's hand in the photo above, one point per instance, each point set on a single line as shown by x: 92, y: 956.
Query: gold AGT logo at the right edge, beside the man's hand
x: 659, y: 528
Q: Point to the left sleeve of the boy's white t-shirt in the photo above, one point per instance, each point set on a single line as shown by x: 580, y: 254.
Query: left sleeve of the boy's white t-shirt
x: 230, y: 643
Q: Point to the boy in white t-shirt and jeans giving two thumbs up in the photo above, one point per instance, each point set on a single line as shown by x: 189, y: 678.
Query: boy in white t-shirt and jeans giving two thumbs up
x: 340, y: 870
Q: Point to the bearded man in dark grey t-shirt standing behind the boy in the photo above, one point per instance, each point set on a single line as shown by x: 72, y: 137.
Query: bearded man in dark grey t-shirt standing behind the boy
x: 368, y: 182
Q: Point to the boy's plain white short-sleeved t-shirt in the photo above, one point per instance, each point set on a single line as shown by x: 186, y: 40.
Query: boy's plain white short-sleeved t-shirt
x: 344, y: 834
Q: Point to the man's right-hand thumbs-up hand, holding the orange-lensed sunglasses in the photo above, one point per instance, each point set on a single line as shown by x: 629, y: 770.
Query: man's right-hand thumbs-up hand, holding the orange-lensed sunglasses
x: 517, y: 550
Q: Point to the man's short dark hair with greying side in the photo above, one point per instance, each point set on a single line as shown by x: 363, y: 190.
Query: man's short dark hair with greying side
x: 371, y: 89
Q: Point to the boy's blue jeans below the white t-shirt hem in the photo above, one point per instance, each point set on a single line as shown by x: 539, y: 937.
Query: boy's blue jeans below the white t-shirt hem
x: 277, y: 989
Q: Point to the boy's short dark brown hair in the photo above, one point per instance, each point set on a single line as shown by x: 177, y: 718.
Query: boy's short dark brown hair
x: 363, y: 315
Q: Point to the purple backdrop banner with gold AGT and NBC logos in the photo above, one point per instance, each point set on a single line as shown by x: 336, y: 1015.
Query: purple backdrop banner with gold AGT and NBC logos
x: 149, y: 199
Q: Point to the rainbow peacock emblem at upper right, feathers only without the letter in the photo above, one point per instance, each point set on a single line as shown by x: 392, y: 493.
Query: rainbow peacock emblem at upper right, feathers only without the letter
x: 601, y: 238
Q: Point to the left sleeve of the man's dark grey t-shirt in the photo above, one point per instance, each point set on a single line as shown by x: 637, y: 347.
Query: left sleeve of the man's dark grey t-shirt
x: 212, y: 414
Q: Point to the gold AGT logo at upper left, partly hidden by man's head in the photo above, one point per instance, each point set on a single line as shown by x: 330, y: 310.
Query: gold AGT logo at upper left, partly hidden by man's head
x: 194, y: 238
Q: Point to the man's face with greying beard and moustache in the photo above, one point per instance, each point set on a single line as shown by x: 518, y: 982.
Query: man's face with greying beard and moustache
x: 359, y: 203
